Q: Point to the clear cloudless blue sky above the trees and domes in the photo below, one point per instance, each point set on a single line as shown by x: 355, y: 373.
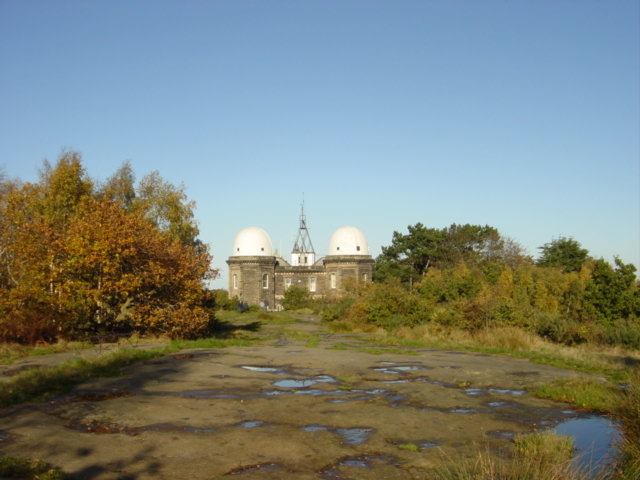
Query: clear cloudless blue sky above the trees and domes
x: 523, y: 115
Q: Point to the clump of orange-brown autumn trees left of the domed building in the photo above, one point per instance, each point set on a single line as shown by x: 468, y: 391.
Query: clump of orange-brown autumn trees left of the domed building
x: 81, y: 259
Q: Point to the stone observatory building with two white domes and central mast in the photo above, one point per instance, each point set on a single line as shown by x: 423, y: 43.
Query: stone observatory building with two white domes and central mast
x: 258, y: 276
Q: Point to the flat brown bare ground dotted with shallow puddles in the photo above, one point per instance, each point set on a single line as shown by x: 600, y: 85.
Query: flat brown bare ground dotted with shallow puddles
x: 286, y: 409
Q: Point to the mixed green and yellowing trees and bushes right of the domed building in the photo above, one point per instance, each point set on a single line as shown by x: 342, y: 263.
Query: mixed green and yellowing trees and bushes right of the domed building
x: 471, y: 277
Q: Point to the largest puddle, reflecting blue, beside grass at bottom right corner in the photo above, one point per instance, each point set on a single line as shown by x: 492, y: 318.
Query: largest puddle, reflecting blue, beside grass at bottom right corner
x: 595, y: 439
